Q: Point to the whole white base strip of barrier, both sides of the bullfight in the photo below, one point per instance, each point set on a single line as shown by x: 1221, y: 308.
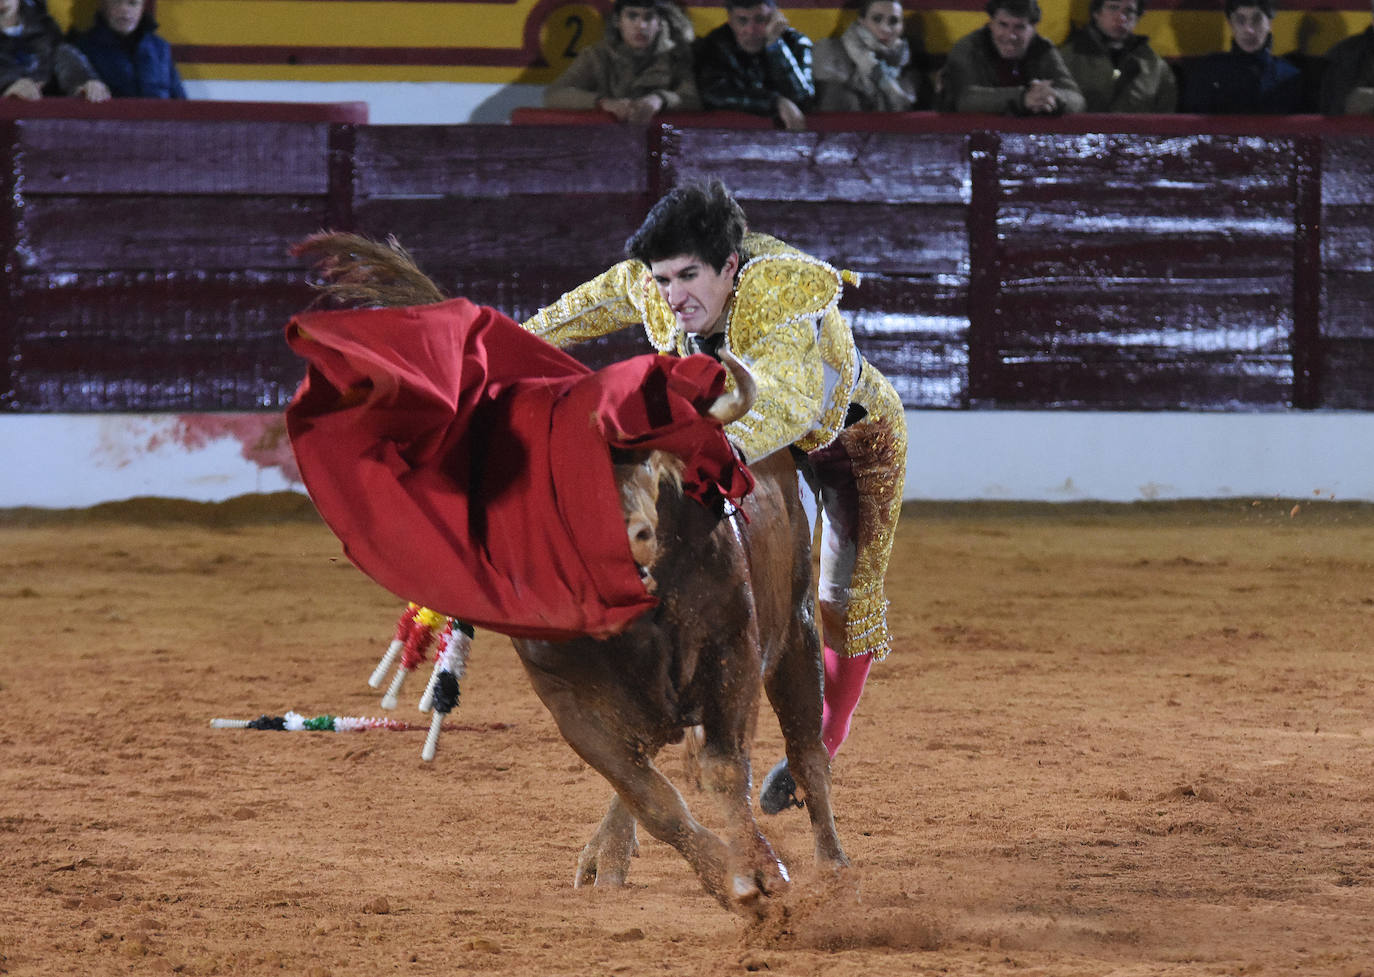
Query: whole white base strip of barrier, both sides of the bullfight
x: 75, y: 461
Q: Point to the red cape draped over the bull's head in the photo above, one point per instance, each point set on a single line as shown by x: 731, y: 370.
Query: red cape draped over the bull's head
x: 466, y: 465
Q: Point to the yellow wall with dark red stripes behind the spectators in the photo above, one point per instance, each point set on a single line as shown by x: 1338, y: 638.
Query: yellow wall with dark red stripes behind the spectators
x: 505, y: 42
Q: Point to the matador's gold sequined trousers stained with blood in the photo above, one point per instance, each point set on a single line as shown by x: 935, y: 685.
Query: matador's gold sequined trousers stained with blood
x: 859, y: 479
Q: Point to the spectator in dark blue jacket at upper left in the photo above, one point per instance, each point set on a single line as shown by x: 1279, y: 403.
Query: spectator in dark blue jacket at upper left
x: 128, y: 54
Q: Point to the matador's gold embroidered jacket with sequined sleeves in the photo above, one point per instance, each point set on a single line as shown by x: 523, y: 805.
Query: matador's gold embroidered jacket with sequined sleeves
x: 784, y: 322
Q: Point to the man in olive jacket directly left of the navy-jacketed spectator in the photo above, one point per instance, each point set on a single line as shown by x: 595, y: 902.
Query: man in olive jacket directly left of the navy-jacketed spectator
x: 1115, y: 67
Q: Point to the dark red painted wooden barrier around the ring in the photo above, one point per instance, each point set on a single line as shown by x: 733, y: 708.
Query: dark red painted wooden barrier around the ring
x: 1116, y: 263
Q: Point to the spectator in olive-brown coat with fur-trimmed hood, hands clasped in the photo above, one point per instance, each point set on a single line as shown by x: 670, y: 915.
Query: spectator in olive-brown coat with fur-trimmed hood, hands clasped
x: 641, y: 68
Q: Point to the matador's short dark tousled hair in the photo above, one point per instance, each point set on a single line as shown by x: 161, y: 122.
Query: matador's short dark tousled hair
x: 699, y: 219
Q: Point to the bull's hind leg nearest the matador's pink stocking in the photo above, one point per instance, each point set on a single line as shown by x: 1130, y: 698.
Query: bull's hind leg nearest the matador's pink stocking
x: 795, y: 693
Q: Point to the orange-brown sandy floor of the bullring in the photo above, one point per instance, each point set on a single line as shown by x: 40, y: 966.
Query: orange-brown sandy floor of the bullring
x: 1112, y: 741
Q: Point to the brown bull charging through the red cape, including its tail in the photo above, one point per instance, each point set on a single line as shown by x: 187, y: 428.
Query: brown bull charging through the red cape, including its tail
x: 734, y: 618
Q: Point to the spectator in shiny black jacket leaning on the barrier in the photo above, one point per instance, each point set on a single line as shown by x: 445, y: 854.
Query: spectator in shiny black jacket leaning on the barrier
x: 758, y: 64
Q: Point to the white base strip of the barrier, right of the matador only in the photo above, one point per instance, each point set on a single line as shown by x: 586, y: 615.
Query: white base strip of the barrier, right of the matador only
x: 1081, y: 457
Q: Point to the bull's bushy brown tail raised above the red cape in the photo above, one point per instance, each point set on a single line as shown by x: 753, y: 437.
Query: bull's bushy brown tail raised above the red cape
x: 355, y: 271
